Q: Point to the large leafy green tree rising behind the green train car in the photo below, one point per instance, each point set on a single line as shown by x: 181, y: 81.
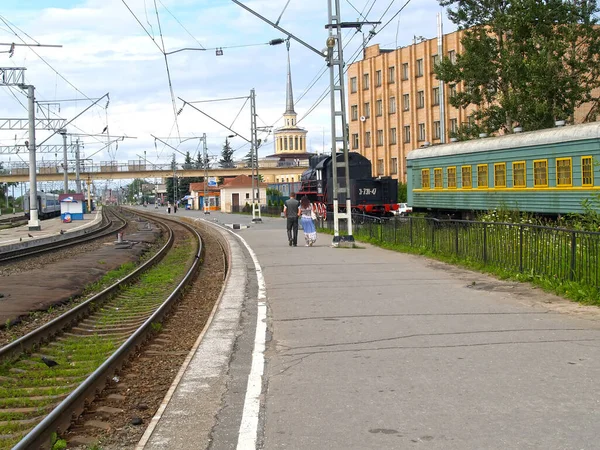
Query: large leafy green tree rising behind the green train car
x: 524, y: 62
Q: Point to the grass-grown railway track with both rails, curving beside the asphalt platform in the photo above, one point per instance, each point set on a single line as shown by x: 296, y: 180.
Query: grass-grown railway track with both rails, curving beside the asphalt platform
x: 48, y: 376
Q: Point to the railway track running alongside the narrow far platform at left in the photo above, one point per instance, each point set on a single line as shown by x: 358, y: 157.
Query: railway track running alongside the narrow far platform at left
x: 112, y: 223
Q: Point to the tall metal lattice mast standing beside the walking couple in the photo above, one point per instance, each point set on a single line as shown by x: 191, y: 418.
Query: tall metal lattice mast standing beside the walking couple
x: 340, y: 169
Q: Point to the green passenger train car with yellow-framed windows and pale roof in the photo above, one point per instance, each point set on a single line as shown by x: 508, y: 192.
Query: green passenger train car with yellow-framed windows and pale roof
x: 547, y: 172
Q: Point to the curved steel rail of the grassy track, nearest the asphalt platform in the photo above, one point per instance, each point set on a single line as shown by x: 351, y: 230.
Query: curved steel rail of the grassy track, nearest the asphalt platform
x: 61, y: 416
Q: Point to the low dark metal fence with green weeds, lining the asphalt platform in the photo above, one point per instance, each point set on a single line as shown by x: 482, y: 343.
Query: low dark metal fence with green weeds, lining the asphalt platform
x: 562, y: 254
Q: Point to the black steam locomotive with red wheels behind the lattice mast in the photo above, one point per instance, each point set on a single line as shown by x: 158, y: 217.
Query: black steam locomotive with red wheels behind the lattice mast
x: 376, y: 196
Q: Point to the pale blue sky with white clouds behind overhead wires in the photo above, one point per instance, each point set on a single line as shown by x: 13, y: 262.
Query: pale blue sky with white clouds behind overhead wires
x: 108, y: 49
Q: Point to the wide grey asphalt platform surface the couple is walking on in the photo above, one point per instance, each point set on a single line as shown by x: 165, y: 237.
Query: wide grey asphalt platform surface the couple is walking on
x: 372, y: 349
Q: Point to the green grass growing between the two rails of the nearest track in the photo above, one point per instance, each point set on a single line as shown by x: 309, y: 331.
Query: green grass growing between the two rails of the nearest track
x: 29, y: 389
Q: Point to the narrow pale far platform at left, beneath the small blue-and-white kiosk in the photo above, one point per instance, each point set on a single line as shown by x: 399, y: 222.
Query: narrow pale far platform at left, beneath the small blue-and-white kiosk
x: 21, y: 237
